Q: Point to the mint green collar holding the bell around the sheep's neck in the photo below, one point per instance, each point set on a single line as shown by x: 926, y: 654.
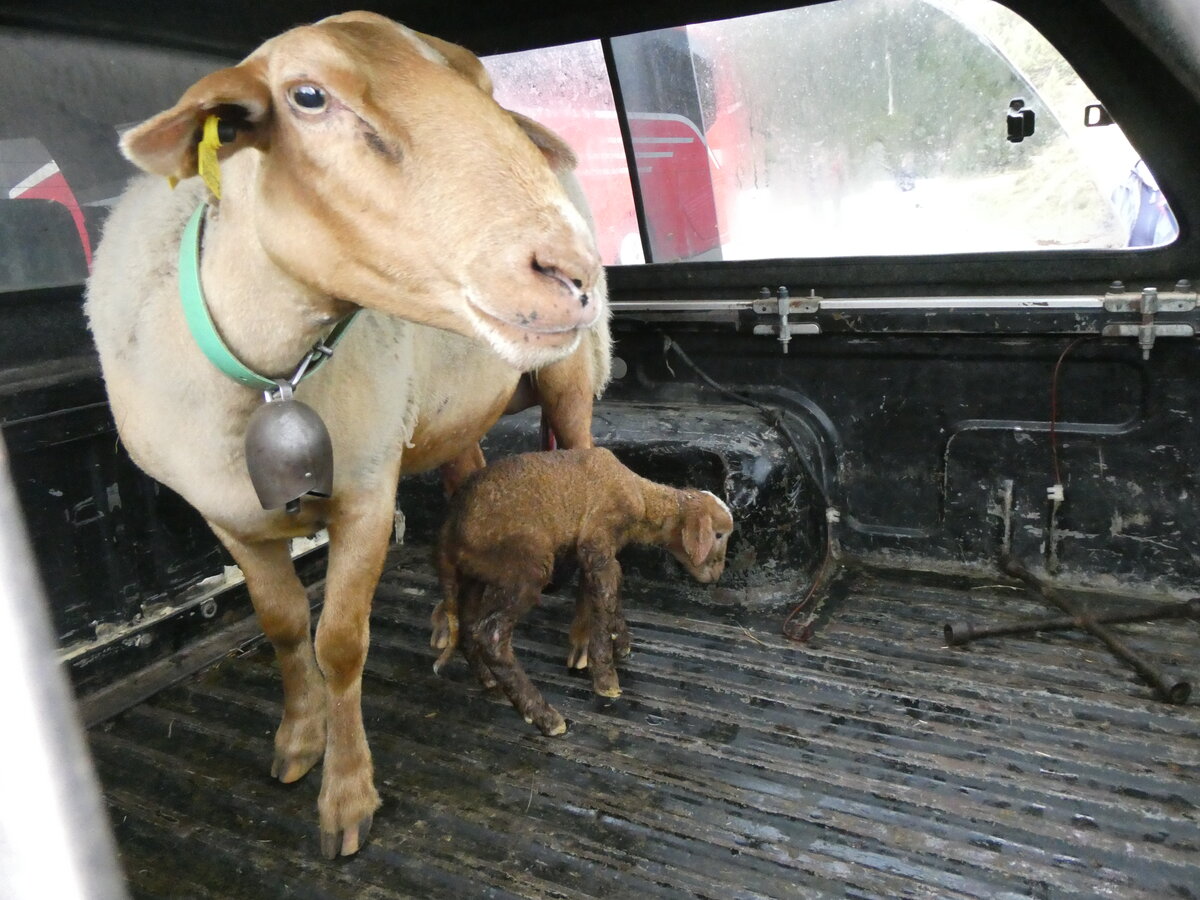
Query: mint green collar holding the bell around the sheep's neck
x: 205, y: 331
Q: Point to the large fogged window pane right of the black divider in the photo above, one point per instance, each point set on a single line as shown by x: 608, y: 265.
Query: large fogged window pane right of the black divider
x: 874, y: 128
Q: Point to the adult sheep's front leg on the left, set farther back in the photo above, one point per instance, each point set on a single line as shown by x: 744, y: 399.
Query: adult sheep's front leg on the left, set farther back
x: 283, y: 609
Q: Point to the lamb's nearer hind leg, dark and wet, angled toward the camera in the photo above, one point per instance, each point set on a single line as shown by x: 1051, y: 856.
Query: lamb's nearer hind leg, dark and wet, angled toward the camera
x: 494, y: 635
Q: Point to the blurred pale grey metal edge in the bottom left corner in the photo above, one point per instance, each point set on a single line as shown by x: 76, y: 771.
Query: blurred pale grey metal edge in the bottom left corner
x: 55, y: 836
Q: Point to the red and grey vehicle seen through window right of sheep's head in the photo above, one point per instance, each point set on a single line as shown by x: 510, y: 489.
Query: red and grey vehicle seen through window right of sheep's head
x: 686, y: 128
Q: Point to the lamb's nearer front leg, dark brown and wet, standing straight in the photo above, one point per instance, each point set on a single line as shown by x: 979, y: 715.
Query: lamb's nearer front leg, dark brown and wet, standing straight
x: 603, y: 622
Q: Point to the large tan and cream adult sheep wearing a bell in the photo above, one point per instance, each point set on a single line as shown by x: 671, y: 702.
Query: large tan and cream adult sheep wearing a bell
x: 362, y: 166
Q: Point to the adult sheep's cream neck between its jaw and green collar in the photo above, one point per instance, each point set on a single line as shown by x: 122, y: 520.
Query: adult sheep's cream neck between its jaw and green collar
x: 267, y: 319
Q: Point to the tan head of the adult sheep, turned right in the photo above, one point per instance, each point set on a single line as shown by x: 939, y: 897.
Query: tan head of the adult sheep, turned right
x: 381, y: 172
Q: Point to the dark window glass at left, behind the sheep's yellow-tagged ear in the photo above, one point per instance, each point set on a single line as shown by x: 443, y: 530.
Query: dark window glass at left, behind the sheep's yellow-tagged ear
x: 62, y: 106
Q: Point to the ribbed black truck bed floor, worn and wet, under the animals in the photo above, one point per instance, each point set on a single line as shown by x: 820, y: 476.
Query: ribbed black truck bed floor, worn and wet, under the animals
x: 872, y: 763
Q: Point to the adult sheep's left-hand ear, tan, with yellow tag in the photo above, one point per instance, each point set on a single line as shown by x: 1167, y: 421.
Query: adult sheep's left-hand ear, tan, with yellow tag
x: 166, y: 145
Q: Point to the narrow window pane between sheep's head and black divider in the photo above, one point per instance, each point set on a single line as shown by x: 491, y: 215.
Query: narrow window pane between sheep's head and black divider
x: 567, y: 89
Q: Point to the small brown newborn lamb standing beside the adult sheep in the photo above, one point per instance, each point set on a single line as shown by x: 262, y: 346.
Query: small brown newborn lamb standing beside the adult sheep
x: 497, y: 549
